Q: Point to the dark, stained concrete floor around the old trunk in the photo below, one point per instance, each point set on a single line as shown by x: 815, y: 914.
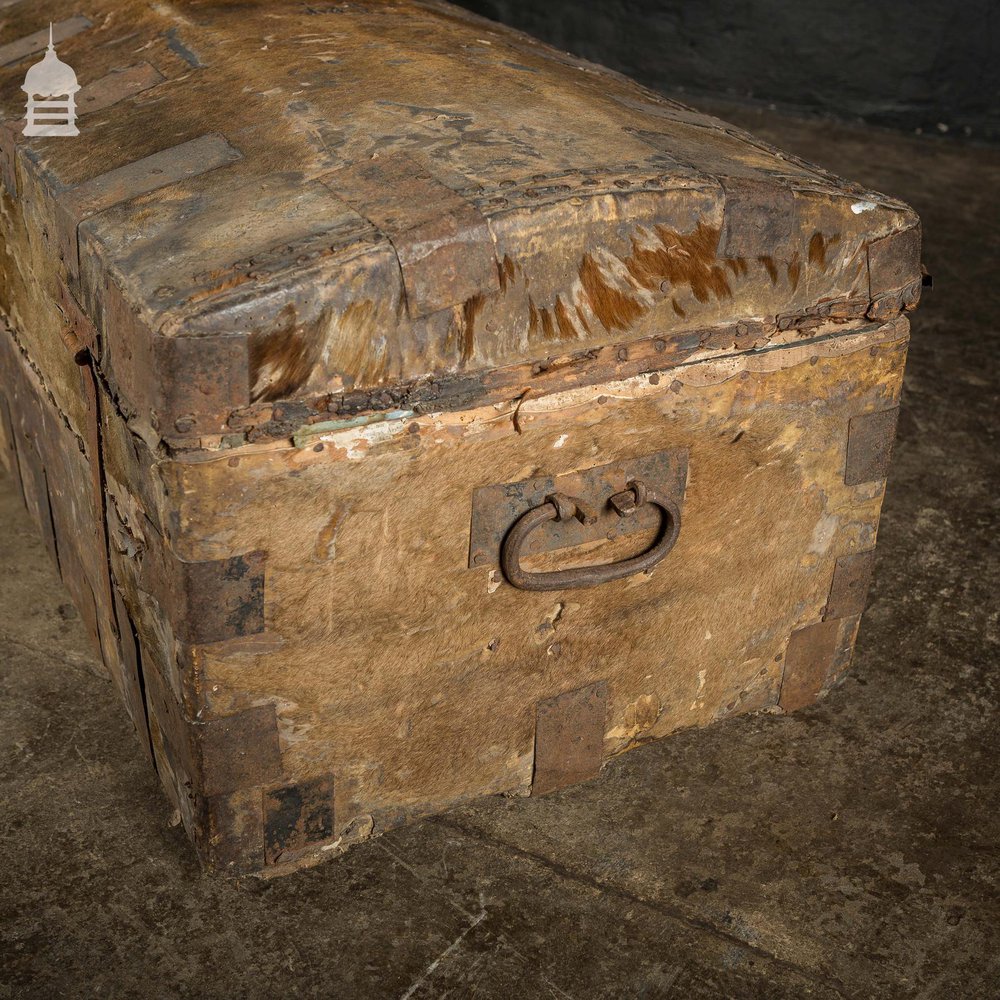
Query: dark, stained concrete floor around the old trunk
x: 850, y: 850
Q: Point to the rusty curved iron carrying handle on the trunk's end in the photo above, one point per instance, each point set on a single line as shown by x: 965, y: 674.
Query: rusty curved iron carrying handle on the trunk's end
x: 558, y: 507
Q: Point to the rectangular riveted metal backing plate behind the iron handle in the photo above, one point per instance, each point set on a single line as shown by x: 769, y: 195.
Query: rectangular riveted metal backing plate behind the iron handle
x: 496, y: 508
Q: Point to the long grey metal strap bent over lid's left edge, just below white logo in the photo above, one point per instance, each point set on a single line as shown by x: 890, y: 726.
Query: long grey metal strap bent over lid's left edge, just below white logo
x: 132, y: 180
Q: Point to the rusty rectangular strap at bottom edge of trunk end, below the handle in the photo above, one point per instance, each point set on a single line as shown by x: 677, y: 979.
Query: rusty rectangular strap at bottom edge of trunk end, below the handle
x: 569, y: 738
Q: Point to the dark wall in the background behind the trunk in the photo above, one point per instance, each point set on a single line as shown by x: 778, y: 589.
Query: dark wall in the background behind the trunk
x: 925, y: 64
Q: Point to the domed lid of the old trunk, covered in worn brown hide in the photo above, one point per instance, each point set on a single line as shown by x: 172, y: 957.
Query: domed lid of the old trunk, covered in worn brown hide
x: 376, y: 192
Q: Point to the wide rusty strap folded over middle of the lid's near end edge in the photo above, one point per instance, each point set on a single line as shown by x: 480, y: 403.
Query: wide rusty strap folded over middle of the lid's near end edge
x: 443, y: 244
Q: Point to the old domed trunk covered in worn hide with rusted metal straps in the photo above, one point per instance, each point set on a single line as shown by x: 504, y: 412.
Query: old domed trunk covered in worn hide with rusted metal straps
x: 327, y: 306
